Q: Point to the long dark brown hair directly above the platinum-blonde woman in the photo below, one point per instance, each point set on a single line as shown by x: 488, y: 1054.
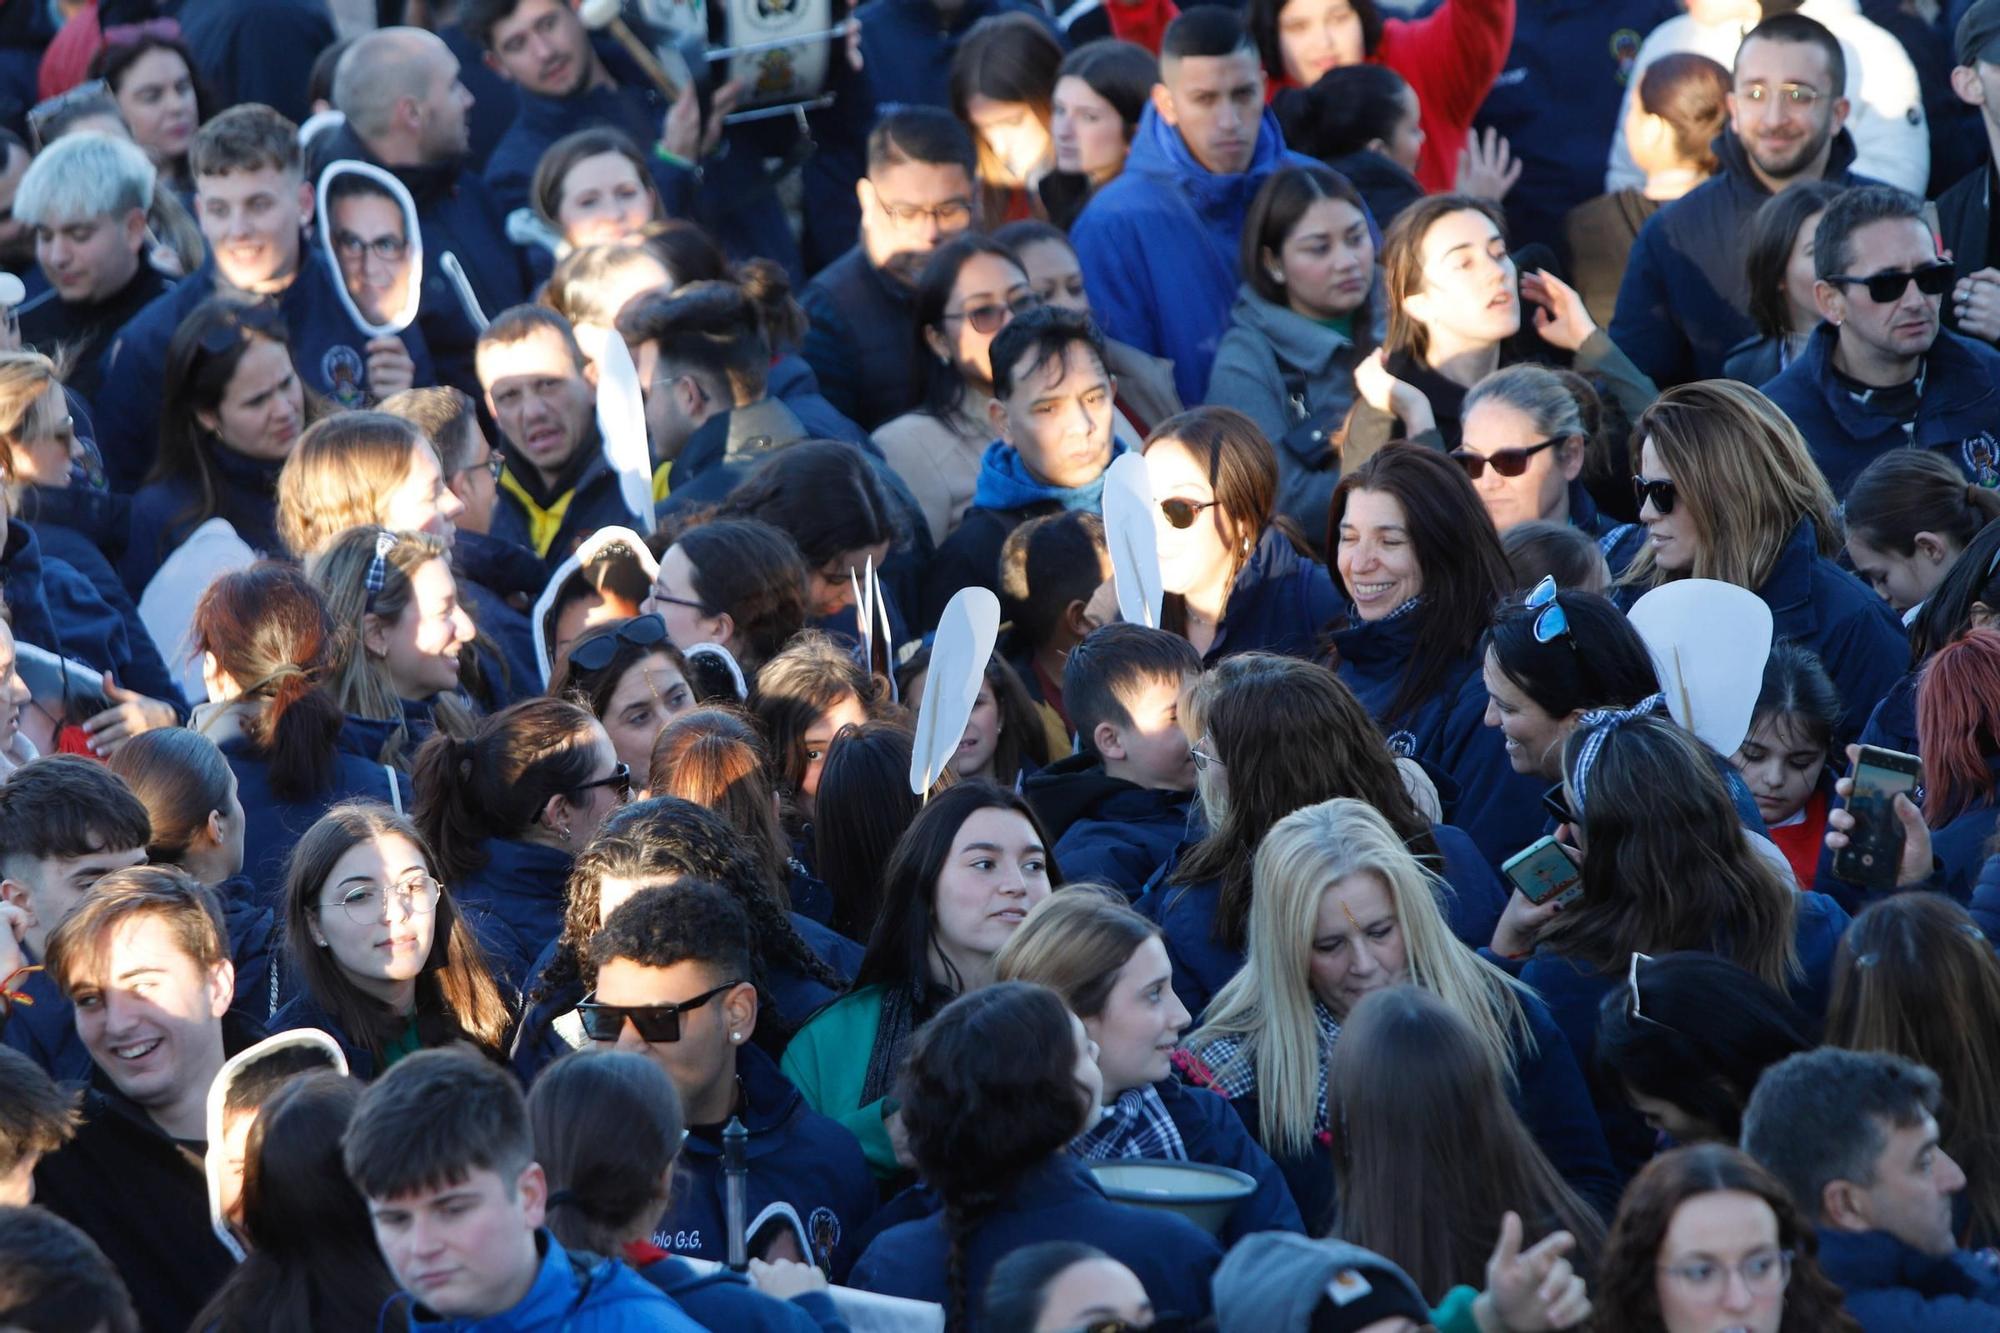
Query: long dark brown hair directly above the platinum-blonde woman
x: 1289, y: 736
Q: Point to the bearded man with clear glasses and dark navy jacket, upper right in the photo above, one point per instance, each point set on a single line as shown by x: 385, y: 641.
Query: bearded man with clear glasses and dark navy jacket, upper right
x: 1683, y: 303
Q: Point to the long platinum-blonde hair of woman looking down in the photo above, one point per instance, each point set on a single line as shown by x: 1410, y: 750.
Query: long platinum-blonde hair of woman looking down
x: 1269, y: 1004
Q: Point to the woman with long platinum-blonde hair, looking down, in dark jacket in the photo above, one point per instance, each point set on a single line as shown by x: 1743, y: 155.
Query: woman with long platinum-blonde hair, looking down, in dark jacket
x: 1343, y: 910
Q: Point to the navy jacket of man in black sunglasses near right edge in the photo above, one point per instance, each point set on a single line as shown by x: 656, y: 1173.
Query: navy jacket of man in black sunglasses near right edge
x: 1957, y: 415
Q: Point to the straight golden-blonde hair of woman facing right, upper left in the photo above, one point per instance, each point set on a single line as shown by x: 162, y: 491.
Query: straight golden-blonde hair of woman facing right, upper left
x: 339, y: 477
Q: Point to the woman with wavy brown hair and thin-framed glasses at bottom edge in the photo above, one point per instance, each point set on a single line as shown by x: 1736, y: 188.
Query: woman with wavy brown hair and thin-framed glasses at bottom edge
x: 1707, y: 1238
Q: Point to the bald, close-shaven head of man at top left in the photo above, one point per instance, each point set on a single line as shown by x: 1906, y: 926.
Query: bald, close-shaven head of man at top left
x: 401, y: 95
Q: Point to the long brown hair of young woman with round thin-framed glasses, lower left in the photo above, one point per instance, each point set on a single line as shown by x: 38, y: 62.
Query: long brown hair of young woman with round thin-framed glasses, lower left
x: 457, y: 998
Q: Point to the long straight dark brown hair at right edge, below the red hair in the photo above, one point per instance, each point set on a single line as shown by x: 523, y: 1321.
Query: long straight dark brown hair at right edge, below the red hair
x: 1917, y: 978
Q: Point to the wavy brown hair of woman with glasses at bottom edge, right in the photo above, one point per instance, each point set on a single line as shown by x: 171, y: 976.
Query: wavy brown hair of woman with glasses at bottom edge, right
x: 1627, y: 1290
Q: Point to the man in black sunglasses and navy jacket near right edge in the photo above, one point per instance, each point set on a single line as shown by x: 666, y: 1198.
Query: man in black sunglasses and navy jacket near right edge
x: 1881, y: 371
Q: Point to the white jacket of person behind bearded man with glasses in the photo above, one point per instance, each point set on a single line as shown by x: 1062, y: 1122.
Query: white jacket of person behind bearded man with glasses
x: 1887, y: 105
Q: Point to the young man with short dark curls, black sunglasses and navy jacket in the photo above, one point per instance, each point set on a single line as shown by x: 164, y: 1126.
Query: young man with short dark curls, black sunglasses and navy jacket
x: 673, y: 984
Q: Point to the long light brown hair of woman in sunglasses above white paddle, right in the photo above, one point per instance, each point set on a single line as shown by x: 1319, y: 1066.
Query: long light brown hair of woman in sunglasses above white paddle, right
x: 1745, y: 481
